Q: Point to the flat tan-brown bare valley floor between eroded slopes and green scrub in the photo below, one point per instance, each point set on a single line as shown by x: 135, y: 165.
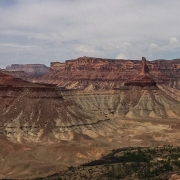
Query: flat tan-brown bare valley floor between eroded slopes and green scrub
x: 32, y: 160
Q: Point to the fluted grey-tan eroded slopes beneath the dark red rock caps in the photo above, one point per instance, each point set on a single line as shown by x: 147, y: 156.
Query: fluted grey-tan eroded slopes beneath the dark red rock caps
x: 60, y: 117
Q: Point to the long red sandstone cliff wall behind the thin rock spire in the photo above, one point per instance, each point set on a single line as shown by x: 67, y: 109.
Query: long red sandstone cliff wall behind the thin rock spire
x: 96, y: 73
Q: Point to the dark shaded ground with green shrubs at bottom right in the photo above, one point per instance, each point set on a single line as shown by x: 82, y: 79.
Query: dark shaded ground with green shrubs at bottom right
x: 128, y: 163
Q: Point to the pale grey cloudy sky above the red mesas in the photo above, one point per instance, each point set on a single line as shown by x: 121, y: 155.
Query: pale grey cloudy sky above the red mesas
x: 44, y: 31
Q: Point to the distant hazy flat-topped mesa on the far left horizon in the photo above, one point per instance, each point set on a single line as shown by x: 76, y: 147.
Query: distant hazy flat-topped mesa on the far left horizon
x: 31, y: 69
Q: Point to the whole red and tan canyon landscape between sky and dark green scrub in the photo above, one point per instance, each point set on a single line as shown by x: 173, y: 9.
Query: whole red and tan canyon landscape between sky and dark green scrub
x: 84, y: 108
